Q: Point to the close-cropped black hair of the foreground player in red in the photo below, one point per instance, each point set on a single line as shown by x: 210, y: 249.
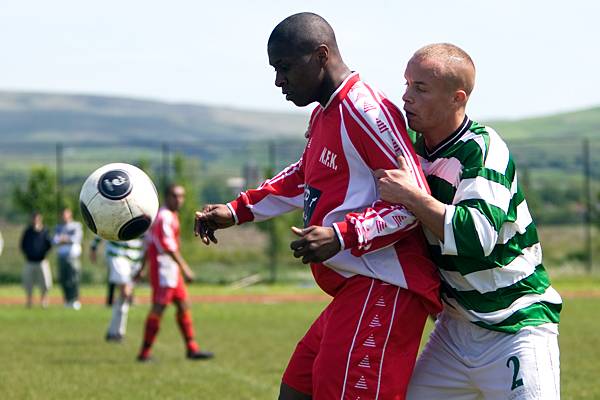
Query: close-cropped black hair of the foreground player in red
x: 302, y: 33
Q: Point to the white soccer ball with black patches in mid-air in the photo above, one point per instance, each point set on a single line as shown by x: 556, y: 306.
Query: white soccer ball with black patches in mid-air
x: 118, y: 202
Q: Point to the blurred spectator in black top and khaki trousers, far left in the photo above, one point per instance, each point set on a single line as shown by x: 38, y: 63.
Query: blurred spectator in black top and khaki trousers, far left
x: 35, y: 245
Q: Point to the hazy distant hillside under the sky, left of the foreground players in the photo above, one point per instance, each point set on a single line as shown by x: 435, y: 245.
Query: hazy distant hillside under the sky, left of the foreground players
x: 45, y: 118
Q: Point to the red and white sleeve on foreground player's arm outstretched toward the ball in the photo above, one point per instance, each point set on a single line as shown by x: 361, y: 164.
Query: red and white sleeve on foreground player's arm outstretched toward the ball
x: 275, y: 196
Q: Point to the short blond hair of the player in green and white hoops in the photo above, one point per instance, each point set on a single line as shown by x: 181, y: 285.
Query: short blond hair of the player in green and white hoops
x: 449, y: 63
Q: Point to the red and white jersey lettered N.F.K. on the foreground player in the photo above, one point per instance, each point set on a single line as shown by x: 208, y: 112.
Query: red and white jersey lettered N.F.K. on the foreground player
x: 356, y: 133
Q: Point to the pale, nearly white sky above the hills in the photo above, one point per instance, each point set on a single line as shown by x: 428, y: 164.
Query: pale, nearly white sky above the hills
x: 533, y: 57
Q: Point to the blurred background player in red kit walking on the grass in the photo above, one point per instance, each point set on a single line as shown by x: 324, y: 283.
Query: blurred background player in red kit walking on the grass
x: 167, y: 272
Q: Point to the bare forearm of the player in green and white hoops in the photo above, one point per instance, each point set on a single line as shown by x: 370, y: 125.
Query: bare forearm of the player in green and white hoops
x: 429, y: 211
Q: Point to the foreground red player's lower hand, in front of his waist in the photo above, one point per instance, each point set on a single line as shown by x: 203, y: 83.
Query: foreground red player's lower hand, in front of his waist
x: 315, y: 244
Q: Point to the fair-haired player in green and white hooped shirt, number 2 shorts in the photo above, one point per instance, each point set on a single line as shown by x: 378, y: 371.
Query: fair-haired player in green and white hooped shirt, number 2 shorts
x: 497, y: 337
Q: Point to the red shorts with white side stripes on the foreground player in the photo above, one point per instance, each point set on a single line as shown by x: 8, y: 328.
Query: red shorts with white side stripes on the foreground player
x: 363, y: 345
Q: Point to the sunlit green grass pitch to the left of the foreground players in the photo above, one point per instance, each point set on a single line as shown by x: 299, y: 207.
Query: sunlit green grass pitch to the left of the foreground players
x: 61, y: 353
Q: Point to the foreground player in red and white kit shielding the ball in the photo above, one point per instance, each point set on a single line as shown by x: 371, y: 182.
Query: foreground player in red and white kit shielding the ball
x: 369, y: 255
